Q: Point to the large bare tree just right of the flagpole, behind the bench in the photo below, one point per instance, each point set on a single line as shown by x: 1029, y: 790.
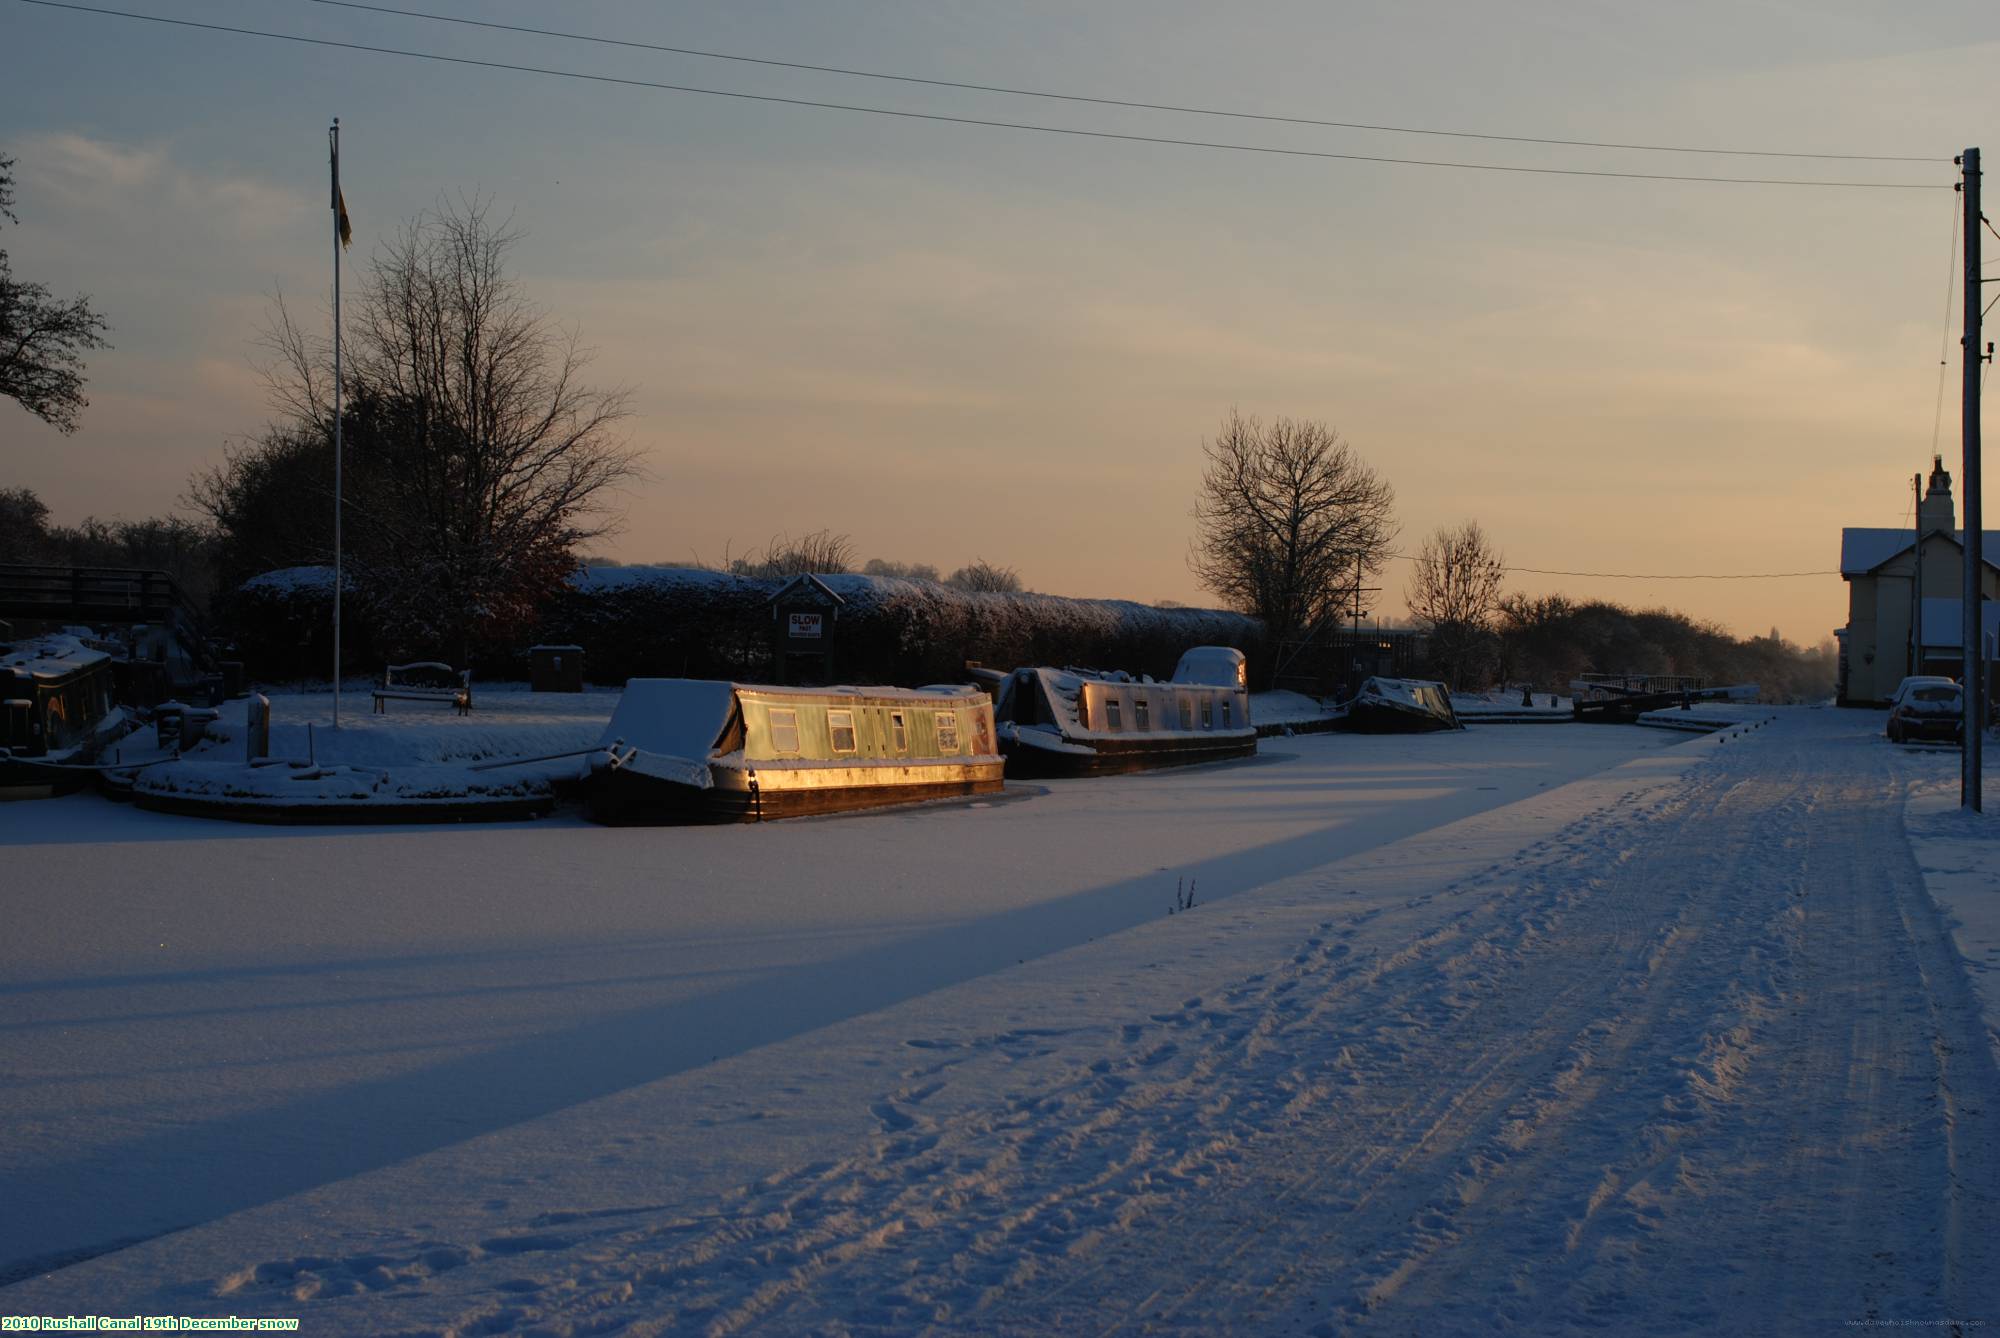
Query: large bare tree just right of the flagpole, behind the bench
x: 479, y: 459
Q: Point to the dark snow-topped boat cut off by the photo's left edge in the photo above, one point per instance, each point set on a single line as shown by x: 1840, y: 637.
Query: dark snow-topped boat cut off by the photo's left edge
x: 55, y: 713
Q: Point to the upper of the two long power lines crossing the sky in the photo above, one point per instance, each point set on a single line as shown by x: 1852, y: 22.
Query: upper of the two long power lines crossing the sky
x: 1101, y: 101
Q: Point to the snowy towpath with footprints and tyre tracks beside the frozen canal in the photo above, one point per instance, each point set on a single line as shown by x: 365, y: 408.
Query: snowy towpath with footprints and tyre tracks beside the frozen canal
x: 1675, y: 1049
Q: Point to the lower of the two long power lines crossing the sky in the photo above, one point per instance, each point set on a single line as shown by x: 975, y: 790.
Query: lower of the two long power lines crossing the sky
x: 975, y: 121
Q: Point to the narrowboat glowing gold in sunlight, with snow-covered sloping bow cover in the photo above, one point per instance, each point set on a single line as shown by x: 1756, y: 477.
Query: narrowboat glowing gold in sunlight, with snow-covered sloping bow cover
x: 697, y: 751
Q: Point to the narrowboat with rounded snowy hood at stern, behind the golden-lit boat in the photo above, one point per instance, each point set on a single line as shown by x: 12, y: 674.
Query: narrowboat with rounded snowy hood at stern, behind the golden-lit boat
x: 1089, y: 723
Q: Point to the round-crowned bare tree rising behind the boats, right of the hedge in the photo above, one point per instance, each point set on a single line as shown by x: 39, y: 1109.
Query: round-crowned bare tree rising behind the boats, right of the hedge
x: 1285, y: 521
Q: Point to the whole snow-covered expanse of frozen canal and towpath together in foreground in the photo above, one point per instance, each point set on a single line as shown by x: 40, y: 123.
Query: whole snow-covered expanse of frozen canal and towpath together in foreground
x: 1557, y: 1031
